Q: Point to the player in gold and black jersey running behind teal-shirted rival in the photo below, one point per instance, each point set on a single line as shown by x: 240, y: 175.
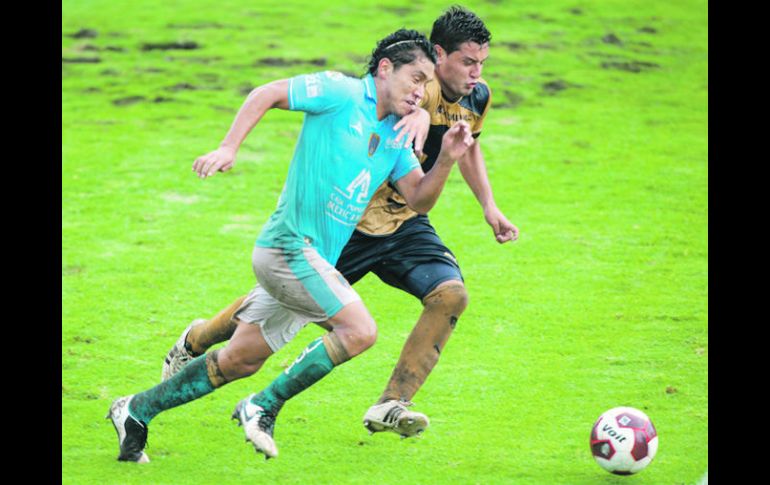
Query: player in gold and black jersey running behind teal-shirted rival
x: 400, y: 246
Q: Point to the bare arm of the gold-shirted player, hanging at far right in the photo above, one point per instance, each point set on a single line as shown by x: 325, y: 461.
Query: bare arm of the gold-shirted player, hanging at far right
x: 474, y: 171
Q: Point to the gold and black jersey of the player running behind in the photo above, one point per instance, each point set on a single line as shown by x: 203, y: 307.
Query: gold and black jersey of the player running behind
x: 388, y: 210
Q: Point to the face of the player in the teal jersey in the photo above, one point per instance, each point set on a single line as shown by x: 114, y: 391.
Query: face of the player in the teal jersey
x: 407, y: 85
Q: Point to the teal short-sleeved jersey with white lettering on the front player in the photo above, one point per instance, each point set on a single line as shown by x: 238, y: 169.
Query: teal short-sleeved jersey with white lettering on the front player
x: 342, y: 155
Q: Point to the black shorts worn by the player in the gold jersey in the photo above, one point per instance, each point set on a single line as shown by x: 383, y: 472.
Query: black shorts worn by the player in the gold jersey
x: 412, y: 259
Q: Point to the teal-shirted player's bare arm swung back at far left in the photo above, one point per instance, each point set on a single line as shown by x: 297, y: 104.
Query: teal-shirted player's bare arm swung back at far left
x: 272, y: 95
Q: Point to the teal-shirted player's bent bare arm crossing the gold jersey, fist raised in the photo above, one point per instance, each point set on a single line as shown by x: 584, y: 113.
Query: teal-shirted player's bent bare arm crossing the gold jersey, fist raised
x: 421, y: 190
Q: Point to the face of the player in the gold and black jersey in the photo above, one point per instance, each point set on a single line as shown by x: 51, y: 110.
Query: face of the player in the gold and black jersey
x: 459, y: 72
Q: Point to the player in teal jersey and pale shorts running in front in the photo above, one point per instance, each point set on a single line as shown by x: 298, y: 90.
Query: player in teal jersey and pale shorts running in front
x: 348, y: 147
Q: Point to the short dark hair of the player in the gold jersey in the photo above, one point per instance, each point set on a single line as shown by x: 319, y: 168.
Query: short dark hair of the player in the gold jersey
x: 456, y: 26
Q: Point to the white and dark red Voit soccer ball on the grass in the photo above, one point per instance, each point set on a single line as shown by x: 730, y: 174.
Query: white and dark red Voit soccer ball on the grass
x: 624, y: 441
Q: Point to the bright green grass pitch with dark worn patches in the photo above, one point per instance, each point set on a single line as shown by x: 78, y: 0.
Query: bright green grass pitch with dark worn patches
x: 596, y: 148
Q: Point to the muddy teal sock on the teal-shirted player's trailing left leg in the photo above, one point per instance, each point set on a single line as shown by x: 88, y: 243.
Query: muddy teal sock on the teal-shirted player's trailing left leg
x: 187, y: 385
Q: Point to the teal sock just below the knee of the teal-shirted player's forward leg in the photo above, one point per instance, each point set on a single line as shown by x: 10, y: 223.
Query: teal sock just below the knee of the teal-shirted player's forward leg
x: 310, y: 367
